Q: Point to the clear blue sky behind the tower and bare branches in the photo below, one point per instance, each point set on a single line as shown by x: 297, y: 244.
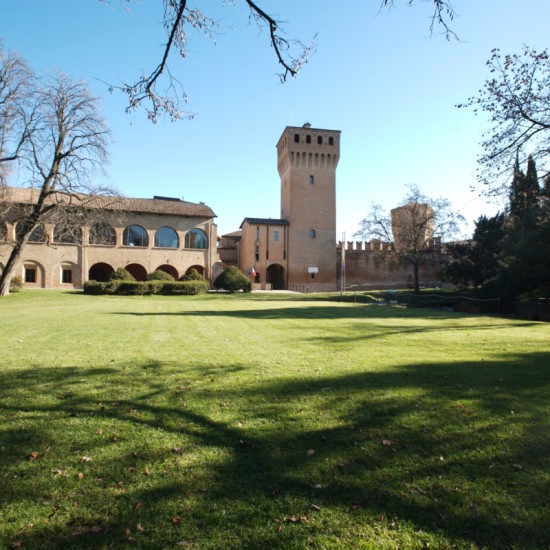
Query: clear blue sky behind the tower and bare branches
x: 377, y: 76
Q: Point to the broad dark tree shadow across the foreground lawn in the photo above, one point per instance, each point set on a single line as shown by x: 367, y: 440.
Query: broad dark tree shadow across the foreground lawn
x: 445, y: 455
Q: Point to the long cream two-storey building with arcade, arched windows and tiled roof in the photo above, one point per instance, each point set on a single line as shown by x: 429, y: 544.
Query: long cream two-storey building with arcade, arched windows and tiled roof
x: 101, y: 234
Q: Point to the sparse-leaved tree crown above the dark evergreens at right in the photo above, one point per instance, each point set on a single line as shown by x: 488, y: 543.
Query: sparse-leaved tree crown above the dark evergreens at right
x: 517, y: 99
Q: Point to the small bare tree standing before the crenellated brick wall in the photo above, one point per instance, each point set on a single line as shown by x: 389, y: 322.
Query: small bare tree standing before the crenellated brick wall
x: 414, y: 230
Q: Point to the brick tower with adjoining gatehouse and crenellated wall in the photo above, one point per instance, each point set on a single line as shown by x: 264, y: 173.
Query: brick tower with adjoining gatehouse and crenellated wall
x: 298, y: 251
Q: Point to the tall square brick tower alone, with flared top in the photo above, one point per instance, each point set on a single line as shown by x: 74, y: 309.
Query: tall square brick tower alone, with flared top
x: 307, y: 160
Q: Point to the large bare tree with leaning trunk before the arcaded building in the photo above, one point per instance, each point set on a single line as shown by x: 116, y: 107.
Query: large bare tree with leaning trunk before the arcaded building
x: 64, y: 145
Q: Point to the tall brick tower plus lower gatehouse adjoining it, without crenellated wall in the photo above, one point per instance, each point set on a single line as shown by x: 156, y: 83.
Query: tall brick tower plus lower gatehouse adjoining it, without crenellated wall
x: 298, y: 250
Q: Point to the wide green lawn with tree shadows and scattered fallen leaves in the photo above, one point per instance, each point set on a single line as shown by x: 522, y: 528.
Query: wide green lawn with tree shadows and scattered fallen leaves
x: 269, y: 421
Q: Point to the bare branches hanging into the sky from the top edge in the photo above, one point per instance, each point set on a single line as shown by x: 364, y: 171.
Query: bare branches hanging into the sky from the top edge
x: 160, y: 92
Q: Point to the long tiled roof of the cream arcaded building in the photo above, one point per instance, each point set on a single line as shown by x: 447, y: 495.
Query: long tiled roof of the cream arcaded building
x: 166, y: 206
